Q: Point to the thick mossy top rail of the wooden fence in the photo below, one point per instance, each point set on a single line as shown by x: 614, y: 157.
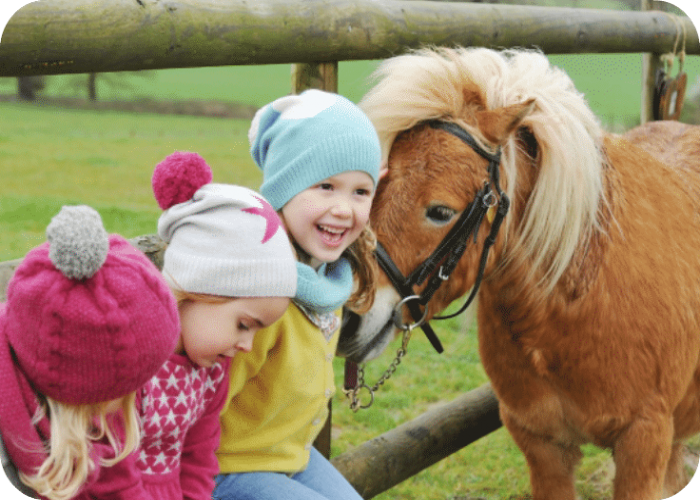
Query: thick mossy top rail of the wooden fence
x: 79, y: 36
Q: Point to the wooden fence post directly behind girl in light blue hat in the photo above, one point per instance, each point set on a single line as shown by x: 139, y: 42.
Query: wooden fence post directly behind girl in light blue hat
x: 322, y: 76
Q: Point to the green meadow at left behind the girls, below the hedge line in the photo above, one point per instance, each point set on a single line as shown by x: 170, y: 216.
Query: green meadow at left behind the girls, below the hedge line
x: 50, y: 157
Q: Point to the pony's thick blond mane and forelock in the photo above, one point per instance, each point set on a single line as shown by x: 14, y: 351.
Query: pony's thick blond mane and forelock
x: 564, y: 205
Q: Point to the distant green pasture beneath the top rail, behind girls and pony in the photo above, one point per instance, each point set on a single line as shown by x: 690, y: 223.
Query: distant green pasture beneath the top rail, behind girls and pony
x: 50, y: 155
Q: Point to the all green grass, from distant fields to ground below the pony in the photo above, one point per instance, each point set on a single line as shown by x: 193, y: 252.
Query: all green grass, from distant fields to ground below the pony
x: 50, y: 156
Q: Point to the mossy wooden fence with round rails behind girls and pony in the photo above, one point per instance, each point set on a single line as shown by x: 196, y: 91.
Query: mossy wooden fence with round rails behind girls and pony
x: 79, y: 36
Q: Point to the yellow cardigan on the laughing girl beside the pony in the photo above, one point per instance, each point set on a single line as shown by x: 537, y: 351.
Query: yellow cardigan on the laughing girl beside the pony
x: 278, y: 397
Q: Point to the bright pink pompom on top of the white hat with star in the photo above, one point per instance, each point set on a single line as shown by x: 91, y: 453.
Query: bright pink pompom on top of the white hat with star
x: 178, y: 177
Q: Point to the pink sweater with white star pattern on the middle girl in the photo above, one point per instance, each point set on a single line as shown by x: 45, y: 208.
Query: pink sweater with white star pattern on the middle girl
x: 179, y: 410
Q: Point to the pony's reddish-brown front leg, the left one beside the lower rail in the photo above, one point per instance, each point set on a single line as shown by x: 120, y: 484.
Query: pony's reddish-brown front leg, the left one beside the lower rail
x: 551, y: 464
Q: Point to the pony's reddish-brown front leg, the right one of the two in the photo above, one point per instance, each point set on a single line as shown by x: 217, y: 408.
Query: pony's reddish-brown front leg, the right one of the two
x: 641, y: 456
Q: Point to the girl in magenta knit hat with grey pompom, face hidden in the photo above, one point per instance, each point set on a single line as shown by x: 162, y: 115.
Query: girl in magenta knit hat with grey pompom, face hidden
x: 88, y: 320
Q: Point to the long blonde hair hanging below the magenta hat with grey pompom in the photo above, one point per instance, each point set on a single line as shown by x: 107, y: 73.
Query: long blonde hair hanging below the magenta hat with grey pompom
x: 73, y: 429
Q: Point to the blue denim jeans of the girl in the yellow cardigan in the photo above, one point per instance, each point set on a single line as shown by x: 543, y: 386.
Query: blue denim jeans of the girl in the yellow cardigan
x: 319, y: 481
